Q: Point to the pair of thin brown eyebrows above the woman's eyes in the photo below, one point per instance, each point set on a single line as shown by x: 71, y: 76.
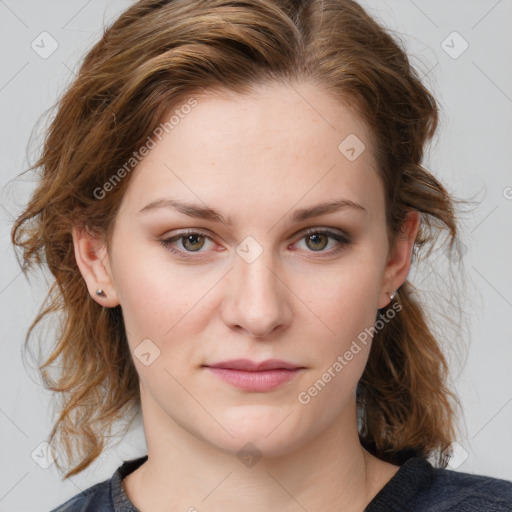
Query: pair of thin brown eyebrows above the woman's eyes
x: 207, y: 213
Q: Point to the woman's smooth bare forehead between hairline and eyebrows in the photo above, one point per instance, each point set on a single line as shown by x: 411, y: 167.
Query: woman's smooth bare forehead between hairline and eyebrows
x: 280, y: 143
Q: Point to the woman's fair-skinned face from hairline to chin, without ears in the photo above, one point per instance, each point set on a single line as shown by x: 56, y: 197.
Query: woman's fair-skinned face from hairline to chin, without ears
x: 269, y: 276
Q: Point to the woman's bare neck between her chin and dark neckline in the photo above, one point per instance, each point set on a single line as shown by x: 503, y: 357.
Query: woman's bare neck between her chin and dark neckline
x: 186, y: 473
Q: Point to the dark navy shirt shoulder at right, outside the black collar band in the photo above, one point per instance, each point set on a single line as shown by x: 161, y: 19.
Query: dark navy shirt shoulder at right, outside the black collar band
x: 455, y: 491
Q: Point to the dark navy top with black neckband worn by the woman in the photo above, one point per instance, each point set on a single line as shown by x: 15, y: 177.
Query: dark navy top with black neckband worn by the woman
x: 416, y: 487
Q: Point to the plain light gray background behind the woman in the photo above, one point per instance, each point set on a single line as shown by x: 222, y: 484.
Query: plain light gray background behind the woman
x: 471, y: 155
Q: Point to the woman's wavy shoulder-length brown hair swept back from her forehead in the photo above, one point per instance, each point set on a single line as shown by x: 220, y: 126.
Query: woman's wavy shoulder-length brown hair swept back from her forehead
x: 156, y: 56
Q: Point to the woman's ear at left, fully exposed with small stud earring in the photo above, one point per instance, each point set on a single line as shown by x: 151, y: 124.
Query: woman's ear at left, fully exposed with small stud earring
x: 92, y: 259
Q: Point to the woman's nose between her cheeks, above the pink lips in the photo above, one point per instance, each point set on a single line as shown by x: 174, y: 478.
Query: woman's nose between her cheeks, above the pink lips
x: 257, y: 299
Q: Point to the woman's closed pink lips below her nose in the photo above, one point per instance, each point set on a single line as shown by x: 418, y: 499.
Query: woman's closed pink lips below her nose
x: 251, y: 376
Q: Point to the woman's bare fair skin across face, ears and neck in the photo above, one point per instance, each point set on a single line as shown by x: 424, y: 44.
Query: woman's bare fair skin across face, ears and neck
x: 256, y: 159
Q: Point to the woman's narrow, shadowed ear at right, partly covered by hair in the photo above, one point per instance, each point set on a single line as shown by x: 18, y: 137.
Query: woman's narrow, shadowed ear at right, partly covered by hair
x: 400, y: 257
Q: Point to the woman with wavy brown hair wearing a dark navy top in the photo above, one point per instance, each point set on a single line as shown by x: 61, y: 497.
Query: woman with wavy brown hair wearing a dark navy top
x: 231, y: 198
